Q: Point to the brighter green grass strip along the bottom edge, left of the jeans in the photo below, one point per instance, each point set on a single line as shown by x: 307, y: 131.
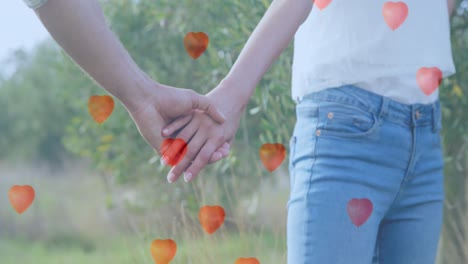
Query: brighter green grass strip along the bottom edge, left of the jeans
x: 266, y: 247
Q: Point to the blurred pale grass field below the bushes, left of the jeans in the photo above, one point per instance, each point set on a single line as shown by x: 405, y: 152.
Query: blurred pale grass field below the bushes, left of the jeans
x: 64, y: 226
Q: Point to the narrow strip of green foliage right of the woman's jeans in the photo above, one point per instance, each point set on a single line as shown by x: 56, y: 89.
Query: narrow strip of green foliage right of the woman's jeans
x: 454, y: 96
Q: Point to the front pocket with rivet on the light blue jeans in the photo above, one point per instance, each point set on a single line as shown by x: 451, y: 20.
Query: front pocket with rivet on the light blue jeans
x: 343, y: 120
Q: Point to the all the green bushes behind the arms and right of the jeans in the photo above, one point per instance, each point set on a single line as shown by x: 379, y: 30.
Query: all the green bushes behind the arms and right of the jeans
x: 44, y: 103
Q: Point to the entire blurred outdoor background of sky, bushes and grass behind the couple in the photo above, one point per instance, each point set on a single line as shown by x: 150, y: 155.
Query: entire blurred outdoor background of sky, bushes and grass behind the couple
x: 101, y: 193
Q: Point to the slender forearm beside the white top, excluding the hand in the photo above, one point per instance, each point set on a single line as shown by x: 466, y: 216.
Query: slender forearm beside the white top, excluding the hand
x: 271, y: 36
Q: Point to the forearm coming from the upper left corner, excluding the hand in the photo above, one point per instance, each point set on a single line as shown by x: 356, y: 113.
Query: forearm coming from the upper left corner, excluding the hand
x: 80, y: 29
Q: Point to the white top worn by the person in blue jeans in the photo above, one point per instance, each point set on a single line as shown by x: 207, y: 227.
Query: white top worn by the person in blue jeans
x: 349, y: 42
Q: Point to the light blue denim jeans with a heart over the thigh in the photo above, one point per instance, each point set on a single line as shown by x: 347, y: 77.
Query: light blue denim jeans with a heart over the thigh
x: 366, y: 175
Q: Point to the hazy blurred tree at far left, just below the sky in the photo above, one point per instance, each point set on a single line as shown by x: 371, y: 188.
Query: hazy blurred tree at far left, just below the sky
x: 34, y: 112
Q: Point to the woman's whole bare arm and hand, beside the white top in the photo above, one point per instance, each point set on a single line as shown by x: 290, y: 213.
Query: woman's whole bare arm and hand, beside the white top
x: 271, y: 36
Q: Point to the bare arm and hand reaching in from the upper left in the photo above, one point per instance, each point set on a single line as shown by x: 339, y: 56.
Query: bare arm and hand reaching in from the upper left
x: 79, y: 27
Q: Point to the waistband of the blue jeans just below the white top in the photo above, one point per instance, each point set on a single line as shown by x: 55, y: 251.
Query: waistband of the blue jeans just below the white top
x: 410, y: 115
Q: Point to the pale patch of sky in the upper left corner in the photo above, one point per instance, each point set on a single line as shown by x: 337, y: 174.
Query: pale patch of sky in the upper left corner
x: 19, y: 28
